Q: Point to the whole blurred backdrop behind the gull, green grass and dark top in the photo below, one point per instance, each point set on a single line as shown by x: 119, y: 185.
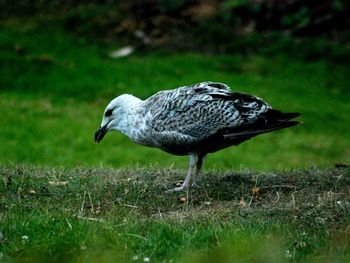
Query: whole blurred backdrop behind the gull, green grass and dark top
x: 57, y: 75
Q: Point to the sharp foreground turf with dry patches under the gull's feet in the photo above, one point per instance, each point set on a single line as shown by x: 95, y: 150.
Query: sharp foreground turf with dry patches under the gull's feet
x: 81, y: 214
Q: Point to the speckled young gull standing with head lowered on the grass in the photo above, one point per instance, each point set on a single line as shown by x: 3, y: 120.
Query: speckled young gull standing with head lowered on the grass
x: 192, y: 120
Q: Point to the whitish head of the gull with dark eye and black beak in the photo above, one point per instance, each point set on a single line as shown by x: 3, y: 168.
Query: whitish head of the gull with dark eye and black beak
x: 115, y: 116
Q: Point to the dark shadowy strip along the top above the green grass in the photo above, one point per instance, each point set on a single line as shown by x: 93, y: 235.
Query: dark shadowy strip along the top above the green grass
x: 306, y: 29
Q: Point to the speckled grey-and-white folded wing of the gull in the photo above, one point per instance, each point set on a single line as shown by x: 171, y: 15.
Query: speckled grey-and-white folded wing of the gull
x: 193, y: 113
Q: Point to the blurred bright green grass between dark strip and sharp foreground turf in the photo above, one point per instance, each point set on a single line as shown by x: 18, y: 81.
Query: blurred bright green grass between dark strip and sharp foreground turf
x: 54, y: 88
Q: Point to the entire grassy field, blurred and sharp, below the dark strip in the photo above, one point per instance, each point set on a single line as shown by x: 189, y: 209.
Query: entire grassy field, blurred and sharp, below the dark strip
x: 64, y: 198
